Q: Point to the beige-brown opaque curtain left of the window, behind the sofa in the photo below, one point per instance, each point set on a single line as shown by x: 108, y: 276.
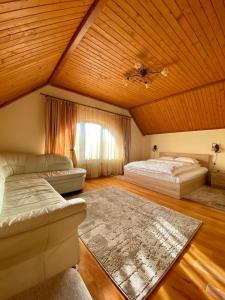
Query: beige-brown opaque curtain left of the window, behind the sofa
x: 61, y: 118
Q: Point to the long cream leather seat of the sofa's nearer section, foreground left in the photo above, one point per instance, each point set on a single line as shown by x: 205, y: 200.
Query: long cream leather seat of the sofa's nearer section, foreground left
x: 32, y: 203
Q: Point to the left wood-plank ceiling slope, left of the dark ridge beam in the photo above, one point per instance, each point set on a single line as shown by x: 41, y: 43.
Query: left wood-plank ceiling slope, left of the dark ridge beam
x: 33, y: 36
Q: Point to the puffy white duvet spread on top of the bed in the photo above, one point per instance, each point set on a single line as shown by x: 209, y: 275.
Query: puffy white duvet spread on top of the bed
x: 169, y: 167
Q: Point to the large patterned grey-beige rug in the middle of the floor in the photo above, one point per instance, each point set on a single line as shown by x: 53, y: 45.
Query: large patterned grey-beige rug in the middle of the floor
x: 135, y: 240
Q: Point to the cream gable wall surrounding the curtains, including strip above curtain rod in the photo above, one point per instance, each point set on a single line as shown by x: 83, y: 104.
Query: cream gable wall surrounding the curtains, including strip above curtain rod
x: 22, y: 123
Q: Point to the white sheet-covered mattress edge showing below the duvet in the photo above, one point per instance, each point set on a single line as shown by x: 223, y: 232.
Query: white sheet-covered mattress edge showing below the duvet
x: 162, y: 176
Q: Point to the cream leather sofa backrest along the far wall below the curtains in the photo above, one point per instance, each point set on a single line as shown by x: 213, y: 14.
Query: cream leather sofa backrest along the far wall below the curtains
x: 19, y: 163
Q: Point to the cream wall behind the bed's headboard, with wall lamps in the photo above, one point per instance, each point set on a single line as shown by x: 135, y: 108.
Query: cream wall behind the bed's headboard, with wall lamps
x: 191, y: 142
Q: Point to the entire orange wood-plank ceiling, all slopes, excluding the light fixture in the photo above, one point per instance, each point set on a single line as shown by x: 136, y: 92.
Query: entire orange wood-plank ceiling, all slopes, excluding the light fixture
x: 100, y: 41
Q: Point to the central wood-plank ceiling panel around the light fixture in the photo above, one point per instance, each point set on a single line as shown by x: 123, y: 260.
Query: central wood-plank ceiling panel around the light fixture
x: 188, y: 36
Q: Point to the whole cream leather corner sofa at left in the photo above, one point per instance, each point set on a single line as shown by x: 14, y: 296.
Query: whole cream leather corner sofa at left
x: 38, y: 227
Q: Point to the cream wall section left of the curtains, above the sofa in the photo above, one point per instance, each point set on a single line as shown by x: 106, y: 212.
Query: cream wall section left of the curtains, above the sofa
x: 22, y: 126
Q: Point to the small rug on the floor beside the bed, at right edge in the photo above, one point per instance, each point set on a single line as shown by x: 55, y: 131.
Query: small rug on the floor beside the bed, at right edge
x: 209, y: 196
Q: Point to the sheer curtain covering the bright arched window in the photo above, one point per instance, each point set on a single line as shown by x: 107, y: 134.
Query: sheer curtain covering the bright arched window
x: 99, y: 143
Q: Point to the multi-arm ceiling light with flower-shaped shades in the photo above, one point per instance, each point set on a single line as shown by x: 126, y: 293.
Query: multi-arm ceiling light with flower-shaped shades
x: 143, y: 74
